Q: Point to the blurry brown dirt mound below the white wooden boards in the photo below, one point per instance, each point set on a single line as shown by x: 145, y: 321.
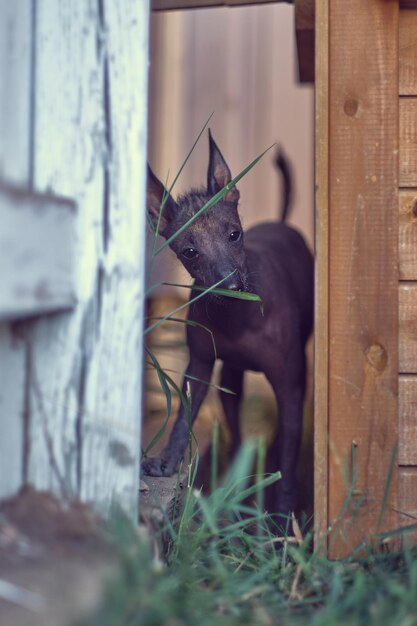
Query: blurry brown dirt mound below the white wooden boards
x: 53, y: 561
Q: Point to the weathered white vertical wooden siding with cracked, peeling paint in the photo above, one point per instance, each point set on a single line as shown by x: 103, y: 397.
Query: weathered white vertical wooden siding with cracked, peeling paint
x: 77, y: 397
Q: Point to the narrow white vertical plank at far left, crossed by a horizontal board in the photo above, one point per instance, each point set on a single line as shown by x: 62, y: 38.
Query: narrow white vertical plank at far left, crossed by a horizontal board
x: 15, y: 165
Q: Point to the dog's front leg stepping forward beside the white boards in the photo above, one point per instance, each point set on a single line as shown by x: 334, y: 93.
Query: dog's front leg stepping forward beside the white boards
x: 194, y: 388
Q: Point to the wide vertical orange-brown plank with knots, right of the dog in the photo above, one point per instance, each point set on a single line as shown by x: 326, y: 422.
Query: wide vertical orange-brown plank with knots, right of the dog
x: 363, y: 262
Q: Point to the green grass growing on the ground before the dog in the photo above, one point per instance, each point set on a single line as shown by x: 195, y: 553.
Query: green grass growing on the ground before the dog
x: 228, y: 565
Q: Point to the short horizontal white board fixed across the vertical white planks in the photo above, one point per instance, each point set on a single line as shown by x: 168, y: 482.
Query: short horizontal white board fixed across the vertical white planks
x: 37, y: 239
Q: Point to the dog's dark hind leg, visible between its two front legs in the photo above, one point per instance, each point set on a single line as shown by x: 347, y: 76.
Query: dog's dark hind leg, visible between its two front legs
x: 232, y: 380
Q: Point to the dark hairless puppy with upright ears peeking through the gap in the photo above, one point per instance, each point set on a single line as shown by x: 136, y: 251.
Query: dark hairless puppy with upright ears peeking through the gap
x: 271, y: 260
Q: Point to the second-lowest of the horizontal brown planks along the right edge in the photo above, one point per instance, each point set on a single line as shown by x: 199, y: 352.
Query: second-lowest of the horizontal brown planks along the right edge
x: 407, y: 449
